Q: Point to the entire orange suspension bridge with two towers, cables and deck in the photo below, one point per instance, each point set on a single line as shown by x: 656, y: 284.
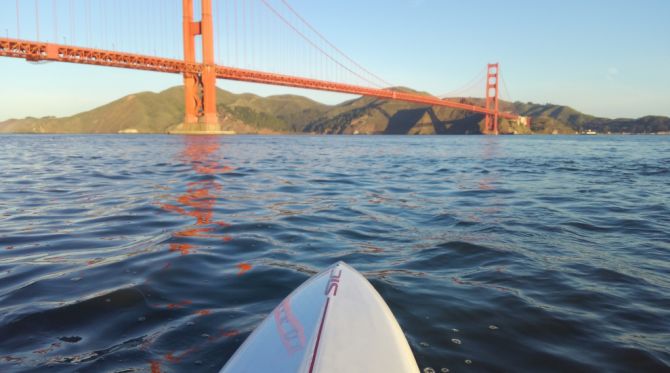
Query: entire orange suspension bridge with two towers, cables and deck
x: 244, y: 32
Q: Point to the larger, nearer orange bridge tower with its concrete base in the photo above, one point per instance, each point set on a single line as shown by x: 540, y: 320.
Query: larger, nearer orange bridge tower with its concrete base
x: 200, y: 115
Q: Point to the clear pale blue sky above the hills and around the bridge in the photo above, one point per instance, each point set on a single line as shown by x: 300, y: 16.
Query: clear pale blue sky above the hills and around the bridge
x: 607, y: 58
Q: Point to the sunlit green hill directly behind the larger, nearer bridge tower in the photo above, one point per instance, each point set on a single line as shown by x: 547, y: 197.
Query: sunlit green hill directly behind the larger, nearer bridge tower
x: 149, y: 112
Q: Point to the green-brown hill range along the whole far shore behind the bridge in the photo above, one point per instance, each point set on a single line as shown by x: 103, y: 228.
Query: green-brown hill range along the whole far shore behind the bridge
x: 149, y: 112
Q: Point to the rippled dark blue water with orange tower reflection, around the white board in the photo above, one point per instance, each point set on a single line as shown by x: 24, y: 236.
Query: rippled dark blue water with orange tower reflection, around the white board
x: 159, y: 253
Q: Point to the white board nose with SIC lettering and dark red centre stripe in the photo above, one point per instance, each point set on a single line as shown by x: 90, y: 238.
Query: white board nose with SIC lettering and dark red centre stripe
x: 334, y: 322
